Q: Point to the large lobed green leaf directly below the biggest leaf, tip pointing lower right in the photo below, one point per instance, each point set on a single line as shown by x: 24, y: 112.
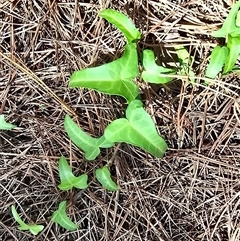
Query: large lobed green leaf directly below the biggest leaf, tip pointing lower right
x: 137, y: 129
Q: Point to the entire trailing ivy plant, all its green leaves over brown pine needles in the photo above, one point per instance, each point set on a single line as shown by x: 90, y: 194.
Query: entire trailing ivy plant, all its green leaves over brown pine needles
x: 137, y: 127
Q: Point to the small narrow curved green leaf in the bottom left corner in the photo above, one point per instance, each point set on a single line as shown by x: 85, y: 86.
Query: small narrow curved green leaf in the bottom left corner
x: 33, y: 228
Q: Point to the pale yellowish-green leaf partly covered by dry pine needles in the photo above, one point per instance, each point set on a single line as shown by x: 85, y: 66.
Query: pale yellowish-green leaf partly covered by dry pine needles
x: 185, y: 62
